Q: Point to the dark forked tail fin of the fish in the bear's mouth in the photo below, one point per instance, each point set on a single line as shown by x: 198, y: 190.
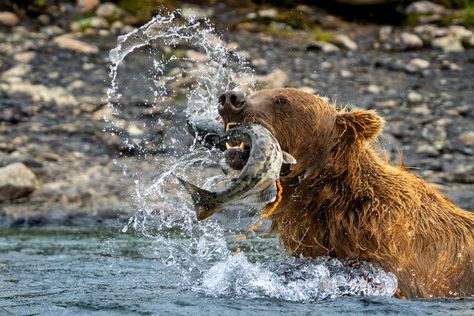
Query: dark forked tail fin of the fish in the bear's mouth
x: 204, y: 201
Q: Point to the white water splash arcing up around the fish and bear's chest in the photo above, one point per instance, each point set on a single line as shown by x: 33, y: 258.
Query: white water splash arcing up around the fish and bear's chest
x: 186, y: 57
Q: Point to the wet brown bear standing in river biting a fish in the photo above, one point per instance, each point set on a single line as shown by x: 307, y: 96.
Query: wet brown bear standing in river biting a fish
x: 342, y: 199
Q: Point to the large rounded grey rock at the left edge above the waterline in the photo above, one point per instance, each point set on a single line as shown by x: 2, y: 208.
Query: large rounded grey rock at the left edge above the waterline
x: 16, y: 181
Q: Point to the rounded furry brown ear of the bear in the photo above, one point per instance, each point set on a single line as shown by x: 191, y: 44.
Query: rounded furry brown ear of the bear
x: 360, y: 124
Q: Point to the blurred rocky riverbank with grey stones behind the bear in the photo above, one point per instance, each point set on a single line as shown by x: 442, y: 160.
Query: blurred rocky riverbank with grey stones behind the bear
x: 56, y: 160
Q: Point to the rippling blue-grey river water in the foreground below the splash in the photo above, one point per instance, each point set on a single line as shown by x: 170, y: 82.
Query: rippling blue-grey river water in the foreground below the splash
x: 105, y: 272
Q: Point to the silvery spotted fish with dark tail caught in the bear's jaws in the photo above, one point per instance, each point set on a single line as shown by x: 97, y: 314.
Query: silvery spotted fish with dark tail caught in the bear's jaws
x: 256, y: 183
